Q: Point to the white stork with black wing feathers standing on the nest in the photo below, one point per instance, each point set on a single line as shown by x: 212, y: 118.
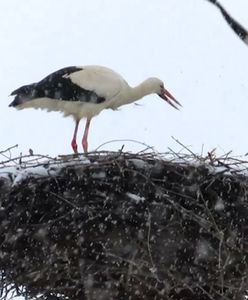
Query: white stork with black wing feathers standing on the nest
x: 83, y: 92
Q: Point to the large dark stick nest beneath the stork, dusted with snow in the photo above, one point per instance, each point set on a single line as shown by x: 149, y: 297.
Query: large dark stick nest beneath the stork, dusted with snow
x: 125, y: 226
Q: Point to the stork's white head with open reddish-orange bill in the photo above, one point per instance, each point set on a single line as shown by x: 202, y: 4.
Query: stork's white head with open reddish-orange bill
x: 158, y: 88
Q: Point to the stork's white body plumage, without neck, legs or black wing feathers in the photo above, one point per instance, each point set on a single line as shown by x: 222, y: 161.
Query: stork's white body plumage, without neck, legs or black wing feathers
x: 103, y: 81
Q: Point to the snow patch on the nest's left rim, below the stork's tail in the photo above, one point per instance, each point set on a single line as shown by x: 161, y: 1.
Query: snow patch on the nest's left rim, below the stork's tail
x: 36, y: 166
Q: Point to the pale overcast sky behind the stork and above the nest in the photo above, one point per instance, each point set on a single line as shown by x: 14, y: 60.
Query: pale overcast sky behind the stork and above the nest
x: 186, y: 43
